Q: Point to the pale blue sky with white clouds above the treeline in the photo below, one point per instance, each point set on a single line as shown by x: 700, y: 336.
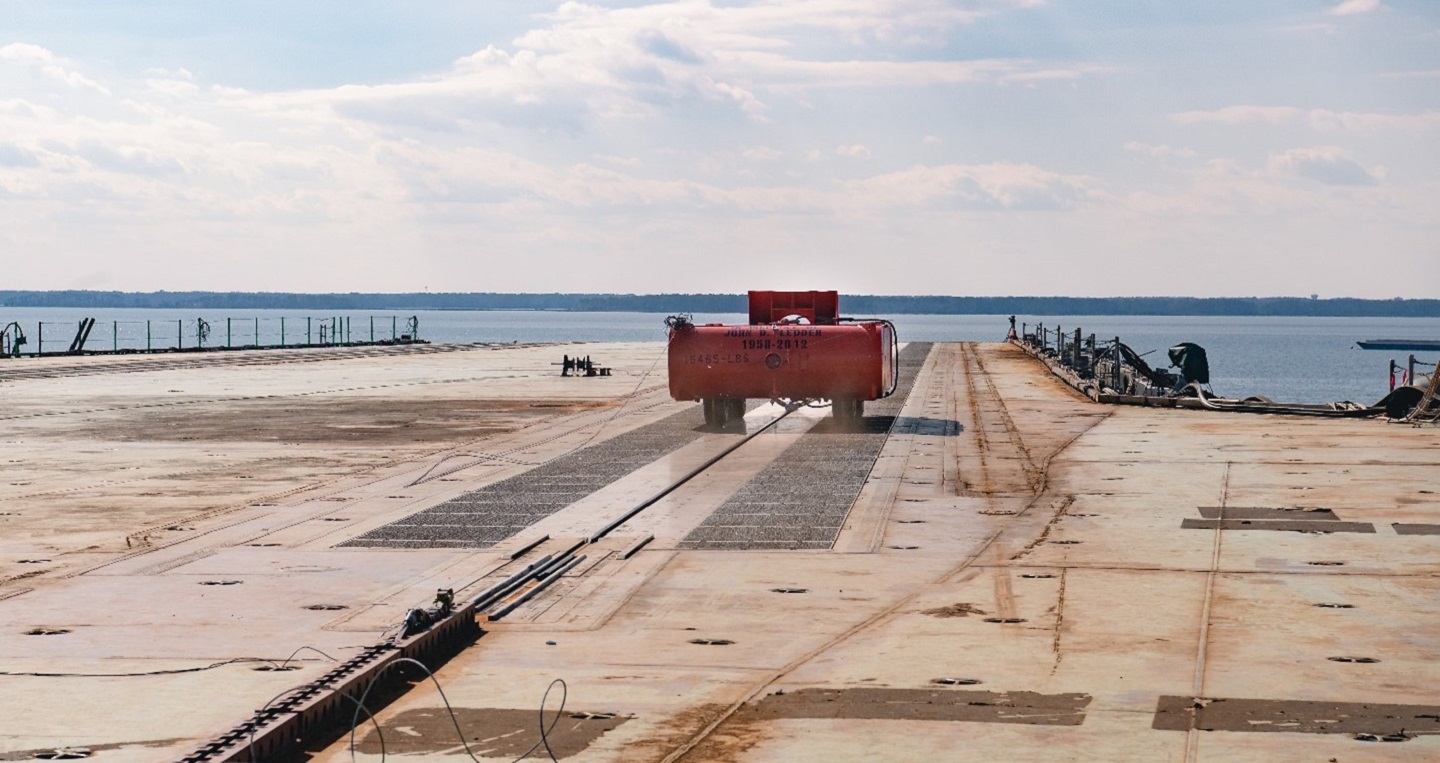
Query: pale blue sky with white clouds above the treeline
x: 974, y: 148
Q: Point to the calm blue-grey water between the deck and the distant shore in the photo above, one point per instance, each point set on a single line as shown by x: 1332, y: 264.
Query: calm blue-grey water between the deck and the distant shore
x: 1307, y: 361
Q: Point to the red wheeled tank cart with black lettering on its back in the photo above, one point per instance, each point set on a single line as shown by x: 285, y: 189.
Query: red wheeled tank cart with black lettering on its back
x: 796, y: 348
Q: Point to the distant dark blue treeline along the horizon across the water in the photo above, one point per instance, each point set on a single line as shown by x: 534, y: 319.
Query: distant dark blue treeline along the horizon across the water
x: 853, y: 306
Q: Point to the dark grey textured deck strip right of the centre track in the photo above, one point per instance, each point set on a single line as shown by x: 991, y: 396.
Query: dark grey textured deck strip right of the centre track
x: 801, y: 500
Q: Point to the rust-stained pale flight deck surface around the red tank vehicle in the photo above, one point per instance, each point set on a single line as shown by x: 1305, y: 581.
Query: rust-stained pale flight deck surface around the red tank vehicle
x: 1040, y: 561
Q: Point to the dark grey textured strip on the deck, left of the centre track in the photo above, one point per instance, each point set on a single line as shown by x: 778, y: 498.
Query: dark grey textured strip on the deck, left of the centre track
x: 485, y: 518
